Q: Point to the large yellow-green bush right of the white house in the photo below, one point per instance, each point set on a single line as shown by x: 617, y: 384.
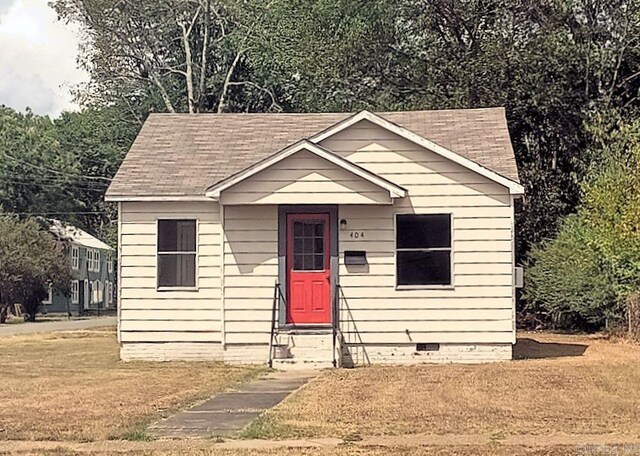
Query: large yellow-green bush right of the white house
x: 593, y: 264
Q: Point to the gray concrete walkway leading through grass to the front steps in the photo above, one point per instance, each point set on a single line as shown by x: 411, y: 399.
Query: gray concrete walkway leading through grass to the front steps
x: 228, y: 413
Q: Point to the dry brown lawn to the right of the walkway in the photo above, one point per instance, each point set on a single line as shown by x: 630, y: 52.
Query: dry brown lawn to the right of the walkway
x: 573, y: 384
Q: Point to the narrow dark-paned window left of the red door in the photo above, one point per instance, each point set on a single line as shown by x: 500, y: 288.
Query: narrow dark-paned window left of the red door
x: 176, y: 253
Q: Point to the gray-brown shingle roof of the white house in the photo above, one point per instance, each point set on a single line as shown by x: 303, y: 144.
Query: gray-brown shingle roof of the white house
x: 183, y: 154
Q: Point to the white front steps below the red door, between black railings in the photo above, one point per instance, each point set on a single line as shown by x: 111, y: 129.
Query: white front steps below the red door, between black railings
x: 304, y: 349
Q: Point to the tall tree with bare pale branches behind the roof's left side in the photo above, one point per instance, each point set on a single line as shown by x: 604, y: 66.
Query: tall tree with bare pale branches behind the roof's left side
x: 171, y: 55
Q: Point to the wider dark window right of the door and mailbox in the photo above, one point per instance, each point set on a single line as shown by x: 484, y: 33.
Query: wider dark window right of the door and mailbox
x: 423, y: 249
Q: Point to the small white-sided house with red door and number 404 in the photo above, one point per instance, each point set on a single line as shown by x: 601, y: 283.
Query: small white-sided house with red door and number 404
x: 318, y: 239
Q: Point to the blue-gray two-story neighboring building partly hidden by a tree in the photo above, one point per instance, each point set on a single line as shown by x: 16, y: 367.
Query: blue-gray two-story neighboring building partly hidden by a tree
x: 92, y: 263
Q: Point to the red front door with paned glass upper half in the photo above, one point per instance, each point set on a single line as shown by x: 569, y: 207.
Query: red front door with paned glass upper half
x: 308, y: 269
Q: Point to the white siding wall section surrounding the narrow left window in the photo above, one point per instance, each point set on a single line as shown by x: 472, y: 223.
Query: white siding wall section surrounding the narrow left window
x: 149, y: 316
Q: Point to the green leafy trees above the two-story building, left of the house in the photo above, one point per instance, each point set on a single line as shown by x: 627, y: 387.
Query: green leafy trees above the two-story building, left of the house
x: 61, y: 168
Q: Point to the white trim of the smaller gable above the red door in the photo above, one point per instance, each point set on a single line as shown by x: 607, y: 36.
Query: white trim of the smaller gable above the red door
x: 395, y: 191
